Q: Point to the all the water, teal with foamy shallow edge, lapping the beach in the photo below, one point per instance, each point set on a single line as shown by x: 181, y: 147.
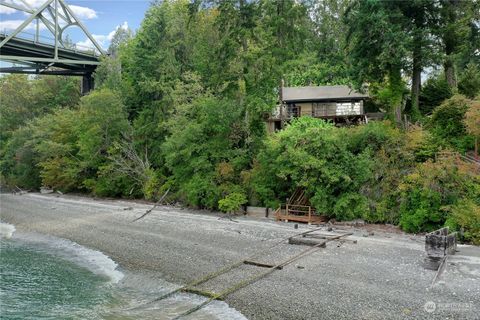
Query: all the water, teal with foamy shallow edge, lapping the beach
x: 43, y: 277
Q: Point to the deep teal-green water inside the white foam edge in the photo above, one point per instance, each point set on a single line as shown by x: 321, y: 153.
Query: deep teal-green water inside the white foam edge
x: 36, y: 284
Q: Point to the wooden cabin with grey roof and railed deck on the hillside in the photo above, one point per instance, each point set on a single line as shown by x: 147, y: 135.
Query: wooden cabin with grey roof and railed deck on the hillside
x: 340, y: 104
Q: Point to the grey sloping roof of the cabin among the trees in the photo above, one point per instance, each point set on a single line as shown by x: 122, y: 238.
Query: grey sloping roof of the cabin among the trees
x: 297, y: 94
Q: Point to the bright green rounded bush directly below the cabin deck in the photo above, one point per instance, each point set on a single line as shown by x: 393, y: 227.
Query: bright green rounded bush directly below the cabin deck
x: 314, y: 155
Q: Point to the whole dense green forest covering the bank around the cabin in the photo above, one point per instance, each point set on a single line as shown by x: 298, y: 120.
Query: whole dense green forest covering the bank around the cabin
x: 181, y: 104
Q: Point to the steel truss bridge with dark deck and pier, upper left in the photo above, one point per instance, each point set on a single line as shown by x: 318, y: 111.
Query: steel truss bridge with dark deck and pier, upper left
x: 53, y: 55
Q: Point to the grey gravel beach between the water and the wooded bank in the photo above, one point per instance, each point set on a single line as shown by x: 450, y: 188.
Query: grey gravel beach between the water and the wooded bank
x: 379, y: 277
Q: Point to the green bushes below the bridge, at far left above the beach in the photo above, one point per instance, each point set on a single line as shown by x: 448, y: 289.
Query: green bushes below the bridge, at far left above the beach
x: 66, y: 148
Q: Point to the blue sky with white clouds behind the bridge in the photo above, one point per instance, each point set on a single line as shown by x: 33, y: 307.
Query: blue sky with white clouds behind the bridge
x: 101, y: 17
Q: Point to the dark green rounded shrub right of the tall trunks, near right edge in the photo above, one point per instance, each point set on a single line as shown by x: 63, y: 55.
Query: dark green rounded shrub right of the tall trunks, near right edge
x: 447, y: 125
